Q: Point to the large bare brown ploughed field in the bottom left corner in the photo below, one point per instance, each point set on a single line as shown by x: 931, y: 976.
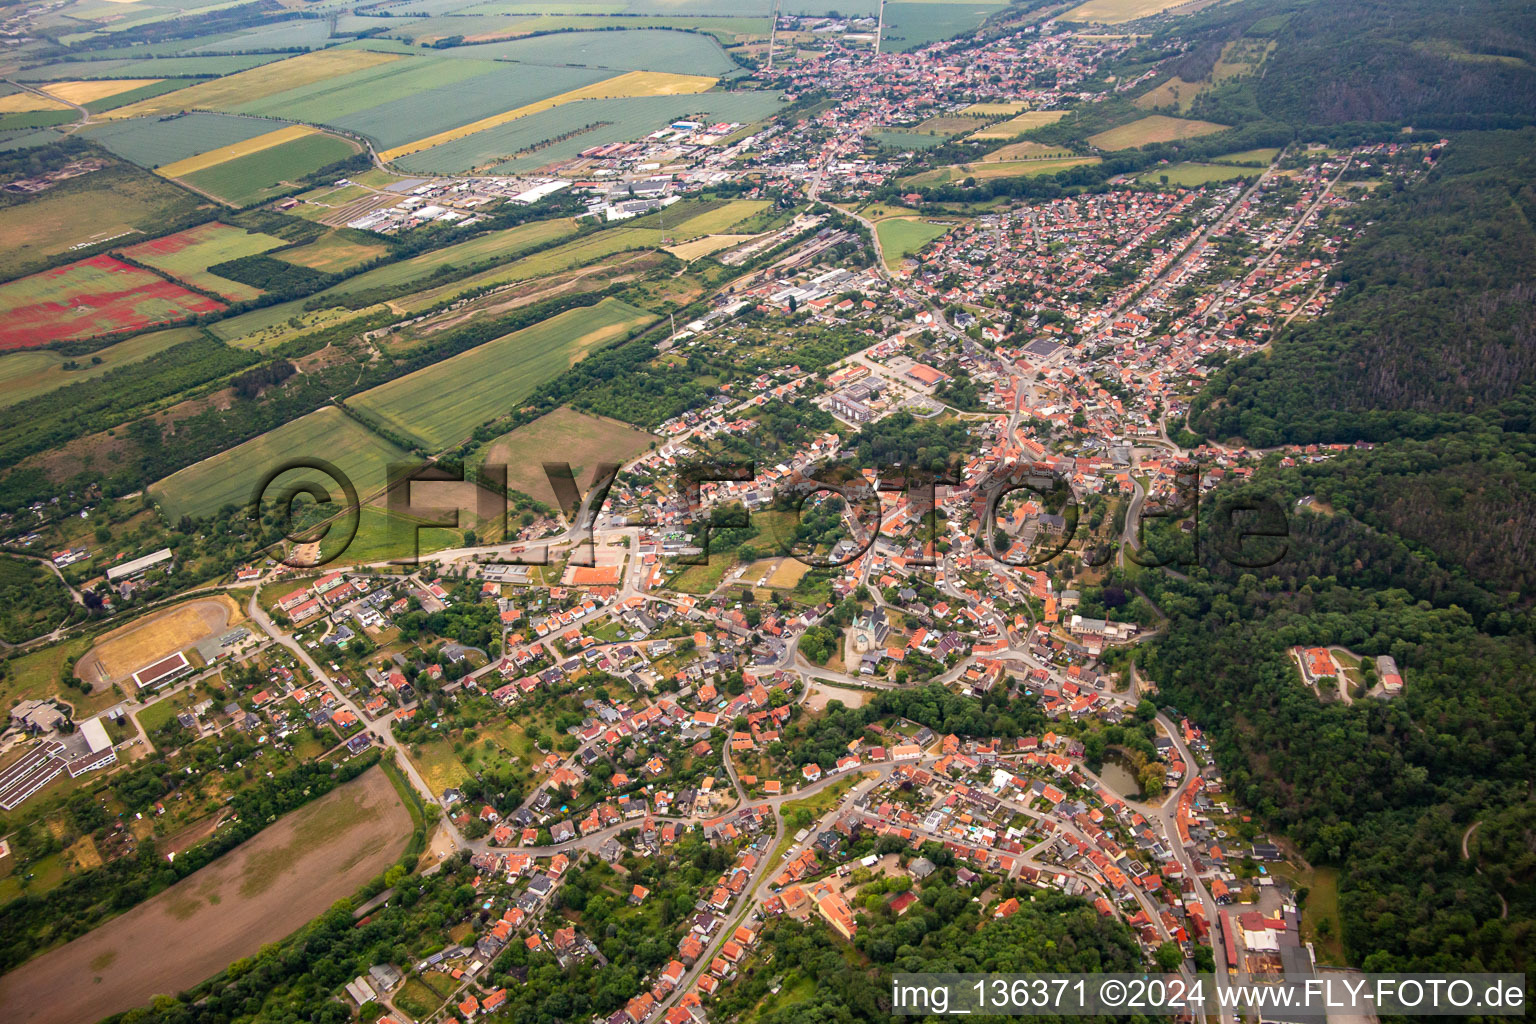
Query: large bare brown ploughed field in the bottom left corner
x: 257, y: 894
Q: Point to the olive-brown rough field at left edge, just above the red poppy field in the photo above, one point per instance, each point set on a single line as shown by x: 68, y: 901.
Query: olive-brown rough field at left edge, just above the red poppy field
x: 107, y: 205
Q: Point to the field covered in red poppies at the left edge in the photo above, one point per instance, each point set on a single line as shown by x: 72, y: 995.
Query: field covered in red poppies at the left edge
x: 94, y: 297
